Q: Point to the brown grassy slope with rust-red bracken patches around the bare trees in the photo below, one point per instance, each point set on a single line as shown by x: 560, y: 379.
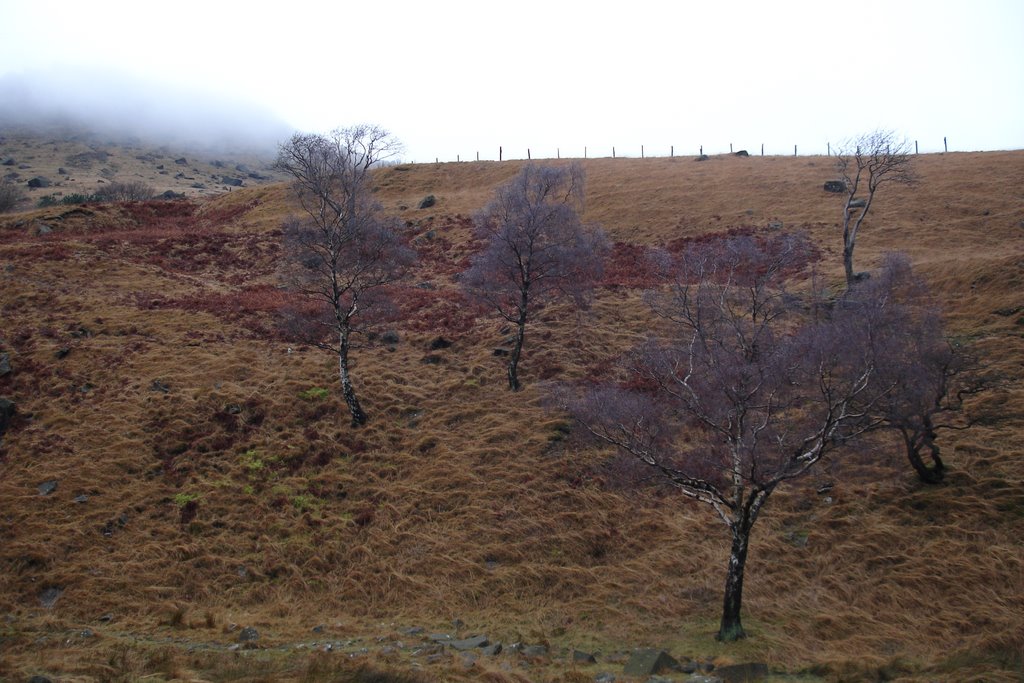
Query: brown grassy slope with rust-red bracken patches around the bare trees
x: 204, y: 484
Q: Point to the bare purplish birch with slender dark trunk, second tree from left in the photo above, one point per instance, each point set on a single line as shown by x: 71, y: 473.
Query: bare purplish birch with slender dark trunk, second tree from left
x: 537, y: 249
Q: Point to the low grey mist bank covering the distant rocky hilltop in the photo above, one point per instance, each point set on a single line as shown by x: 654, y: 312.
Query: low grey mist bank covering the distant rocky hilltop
x: 129, y: 109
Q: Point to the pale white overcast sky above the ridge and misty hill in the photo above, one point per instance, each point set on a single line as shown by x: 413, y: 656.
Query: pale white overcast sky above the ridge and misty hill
x: 460, y: 78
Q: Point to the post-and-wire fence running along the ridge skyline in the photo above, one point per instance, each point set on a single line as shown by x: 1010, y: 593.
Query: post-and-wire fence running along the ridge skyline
x: 660, y: 152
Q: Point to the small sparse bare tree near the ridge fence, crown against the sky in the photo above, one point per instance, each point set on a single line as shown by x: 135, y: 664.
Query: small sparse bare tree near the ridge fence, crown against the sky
x: 866, y: 164
